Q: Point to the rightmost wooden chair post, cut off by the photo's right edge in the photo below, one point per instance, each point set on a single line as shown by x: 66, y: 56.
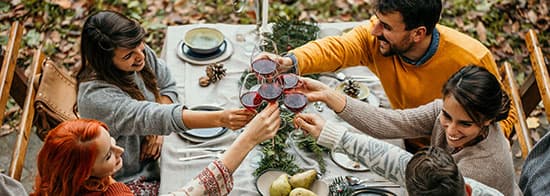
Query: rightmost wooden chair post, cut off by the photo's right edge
x: 540, y: 69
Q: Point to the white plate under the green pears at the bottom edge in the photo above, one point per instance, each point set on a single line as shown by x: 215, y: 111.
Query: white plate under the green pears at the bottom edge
x: 263, y: 182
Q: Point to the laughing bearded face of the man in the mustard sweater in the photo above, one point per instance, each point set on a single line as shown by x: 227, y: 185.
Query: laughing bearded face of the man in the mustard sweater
x: 391, y: 33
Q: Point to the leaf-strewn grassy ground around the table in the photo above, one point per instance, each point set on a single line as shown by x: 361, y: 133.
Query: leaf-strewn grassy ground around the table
x: 500, y: 25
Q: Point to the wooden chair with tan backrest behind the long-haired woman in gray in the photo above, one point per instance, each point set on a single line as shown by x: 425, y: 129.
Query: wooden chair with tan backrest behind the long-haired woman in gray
x: 55, y: 94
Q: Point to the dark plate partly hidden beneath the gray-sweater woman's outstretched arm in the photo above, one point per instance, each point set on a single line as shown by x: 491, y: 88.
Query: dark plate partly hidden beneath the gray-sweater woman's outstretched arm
x: 204, y: 134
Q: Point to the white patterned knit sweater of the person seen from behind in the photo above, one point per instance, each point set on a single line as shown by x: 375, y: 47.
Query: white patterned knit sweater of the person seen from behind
x: 383, y: 158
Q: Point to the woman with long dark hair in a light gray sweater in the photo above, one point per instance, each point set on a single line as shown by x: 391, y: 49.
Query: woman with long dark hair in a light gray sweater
x: 124, y: 84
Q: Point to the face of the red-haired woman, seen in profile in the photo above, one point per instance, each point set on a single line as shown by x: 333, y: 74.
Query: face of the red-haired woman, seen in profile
x: 108, y: 160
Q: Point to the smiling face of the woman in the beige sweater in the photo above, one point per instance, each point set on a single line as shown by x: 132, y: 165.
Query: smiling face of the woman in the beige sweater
x: 459, y: 127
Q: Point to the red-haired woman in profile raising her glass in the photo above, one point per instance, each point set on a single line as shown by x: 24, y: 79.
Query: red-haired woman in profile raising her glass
x: 79, y: 157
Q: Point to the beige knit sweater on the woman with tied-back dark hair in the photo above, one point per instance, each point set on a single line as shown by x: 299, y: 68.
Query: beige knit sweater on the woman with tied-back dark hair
x: 489, y: 161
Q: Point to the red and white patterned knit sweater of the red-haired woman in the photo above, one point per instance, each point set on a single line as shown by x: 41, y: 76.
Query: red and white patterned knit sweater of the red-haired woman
x: 213, y: 180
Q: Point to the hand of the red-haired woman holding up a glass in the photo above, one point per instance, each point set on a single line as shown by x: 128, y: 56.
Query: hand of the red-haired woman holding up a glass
x: 264, y: 126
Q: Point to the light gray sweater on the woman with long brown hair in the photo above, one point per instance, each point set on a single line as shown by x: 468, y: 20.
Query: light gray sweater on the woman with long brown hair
x: 129, y: 120
